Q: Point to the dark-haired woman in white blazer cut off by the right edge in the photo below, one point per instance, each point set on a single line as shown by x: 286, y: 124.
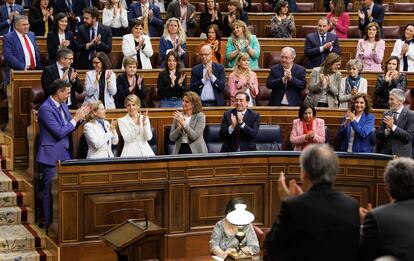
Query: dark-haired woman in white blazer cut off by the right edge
x: 404, y: 49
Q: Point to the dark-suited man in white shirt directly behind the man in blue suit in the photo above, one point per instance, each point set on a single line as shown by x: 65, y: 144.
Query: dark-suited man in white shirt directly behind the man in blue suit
x: 61, y: 70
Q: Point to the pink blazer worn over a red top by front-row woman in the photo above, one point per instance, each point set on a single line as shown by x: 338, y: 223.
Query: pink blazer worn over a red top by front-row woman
x: 297, y: 136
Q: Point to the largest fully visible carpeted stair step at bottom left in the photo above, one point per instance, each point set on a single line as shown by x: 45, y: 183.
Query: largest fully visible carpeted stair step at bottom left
x: 19, y: 238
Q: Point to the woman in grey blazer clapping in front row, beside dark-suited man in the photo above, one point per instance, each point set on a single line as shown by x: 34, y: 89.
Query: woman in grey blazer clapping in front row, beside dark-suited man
x: 188, y: 126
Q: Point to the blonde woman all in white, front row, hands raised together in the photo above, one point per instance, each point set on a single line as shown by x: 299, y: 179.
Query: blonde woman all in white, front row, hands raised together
x: 135, y: 129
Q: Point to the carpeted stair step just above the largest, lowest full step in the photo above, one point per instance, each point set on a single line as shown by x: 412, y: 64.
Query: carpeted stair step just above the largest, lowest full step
x: 16, y: 215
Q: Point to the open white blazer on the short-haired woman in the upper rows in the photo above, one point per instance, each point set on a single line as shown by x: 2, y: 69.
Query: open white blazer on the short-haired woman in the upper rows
x: 128, y: 49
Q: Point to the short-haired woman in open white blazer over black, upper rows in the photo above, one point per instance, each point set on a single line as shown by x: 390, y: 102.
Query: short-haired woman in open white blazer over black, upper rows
x: 138, y: 44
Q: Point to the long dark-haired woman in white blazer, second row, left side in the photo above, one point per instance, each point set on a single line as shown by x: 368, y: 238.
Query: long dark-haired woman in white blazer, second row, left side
x: 101, y: 79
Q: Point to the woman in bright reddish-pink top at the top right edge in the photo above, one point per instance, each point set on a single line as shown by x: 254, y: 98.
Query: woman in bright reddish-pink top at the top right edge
x: 339, y: 19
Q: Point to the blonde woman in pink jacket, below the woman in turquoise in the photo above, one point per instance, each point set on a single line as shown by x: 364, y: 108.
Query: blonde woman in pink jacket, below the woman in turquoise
x: 243, y: 79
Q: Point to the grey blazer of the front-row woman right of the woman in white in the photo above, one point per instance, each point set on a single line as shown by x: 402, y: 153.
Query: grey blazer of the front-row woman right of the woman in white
x: 194, y: 130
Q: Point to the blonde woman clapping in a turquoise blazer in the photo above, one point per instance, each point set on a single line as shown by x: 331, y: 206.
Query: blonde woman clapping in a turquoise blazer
x: 242, y: 41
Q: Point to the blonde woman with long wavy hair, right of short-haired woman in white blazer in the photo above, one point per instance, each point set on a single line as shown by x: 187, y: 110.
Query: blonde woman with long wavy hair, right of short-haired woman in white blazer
x: 173, y: 39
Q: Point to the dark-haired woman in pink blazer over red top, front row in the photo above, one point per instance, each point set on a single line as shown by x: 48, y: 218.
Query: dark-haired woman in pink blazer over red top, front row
x: 307, y: 129
